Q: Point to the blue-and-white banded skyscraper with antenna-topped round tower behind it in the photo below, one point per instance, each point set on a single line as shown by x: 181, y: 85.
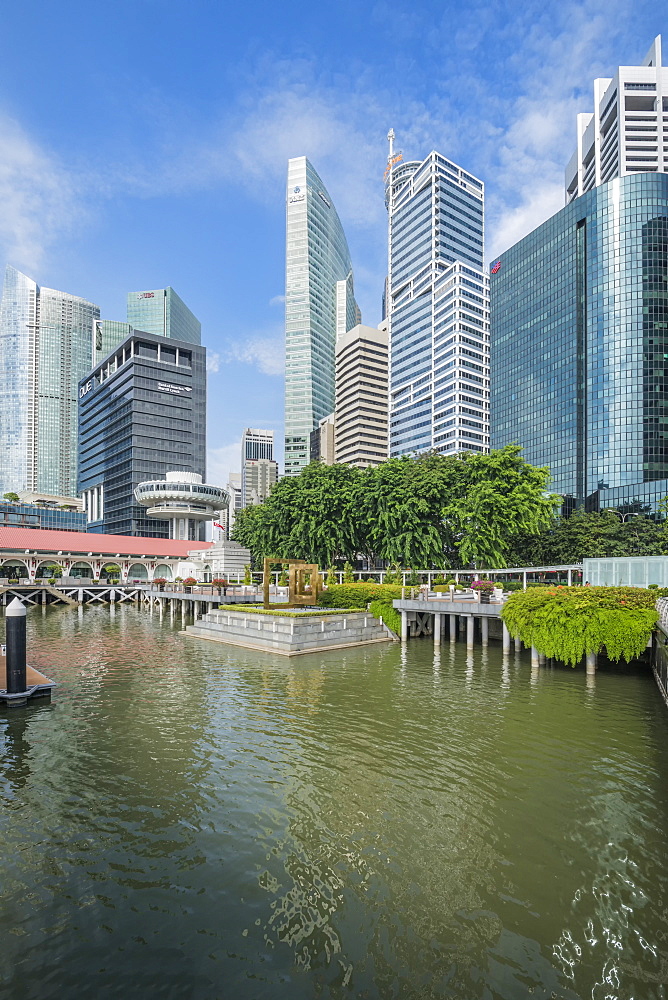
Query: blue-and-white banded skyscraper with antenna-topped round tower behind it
x: 437, y: 307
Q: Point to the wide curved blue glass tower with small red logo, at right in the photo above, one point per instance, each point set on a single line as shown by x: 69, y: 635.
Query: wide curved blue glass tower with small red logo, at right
x: 579, y: 345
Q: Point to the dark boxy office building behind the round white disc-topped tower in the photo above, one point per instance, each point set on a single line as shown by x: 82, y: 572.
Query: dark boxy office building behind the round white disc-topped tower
x: 142, y: 413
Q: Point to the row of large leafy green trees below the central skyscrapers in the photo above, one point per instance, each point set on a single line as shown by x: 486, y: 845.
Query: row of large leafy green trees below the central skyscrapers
x: 431, y: 510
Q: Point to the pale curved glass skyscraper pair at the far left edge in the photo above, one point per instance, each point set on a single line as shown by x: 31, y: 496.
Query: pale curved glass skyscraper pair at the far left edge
x: 46, y: 347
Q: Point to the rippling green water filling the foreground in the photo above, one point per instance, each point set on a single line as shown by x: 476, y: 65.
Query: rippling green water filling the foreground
x: 194, y: 821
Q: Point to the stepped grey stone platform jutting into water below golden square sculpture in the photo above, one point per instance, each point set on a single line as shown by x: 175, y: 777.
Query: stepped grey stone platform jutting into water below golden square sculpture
x: 290, y: 636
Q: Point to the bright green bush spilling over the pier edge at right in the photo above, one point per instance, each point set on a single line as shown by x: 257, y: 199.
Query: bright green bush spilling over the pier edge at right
x: 568, y: 622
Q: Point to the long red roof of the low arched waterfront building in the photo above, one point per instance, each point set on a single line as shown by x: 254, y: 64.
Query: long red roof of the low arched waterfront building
x: 45, y: 540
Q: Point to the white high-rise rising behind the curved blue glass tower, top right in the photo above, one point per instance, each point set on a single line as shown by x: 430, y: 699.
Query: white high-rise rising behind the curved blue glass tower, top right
x: 627, y: 131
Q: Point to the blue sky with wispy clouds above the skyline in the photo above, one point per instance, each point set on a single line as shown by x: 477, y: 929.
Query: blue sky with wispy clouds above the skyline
x: 144, y: 143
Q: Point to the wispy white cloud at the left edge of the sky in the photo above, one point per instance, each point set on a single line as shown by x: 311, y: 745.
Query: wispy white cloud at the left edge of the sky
x: 39, y: 198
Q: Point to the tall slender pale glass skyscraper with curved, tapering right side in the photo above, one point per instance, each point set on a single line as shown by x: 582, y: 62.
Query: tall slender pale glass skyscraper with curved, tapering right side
x: 318, y: 295
